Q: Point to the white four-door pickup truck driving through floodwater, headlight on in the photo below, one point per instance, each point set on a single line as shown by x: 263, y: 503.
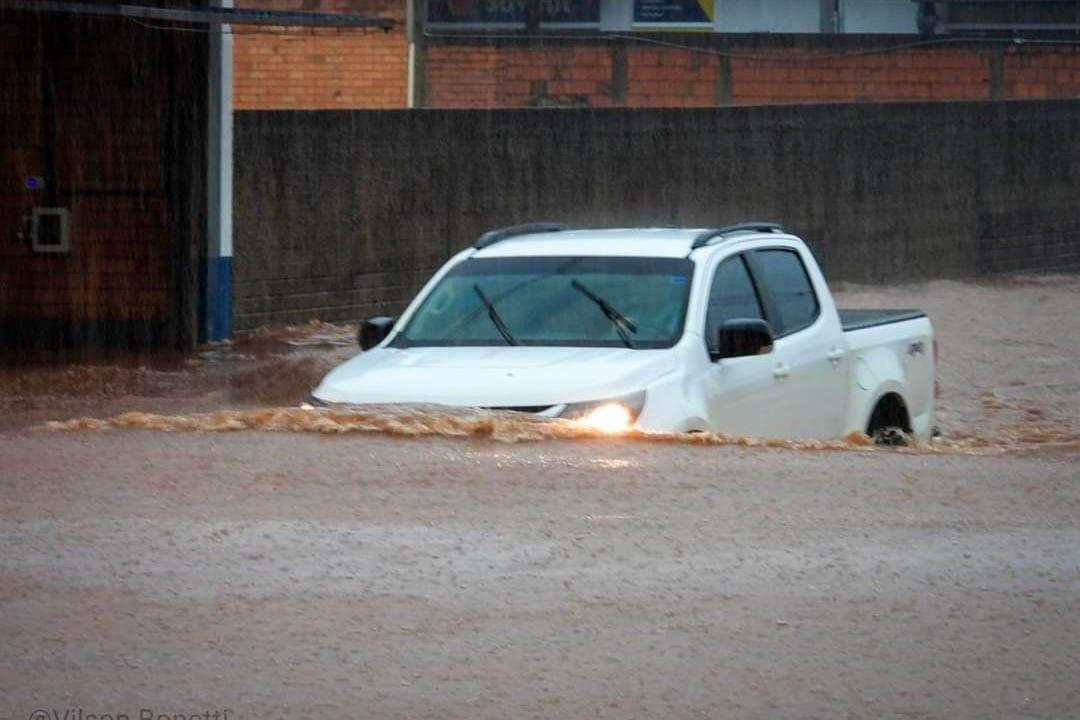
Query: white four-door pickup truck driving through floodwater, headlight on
x: 728, y: 330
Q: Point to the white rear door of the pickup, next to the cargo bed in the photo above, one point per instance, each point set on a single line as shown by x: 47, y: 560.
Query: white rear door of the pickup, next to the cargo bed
x: 809, y: 360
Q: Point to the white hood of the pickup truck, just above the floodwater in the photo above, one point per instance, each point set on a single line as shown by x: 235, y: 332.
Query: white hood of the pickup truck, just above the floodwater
x: 493, y: 377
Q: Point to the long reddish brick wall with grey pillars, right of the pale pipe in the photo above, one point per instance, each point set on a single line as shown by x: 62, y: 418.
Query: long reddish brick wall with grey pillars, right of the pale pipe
x: 733, y: 71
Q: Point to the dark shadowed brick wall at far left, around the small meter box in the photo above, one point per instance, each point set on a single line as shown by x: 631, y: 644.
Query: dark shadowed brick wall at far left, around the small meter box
x: 100, y: 135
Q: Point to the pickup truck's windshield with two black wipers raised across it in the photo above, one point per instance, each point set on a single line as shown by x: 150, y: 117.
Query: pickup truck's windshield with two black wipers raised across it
x: 627, y: 303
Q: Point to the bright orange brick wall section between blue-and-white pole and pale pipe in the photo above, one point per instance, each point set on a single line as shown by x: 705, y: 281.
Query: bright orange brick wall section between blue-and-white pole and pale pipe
x: 314, y: 69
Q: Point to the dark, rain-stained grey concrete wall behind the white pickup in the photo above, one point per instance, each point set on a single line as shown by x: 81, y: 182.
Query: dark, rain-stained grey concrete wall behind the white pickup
x: 345, y: 214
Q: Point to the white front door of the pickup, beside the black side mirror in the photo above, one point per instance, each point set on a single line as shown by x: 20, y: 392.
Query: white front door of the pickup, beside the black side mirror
x: 741, y: 395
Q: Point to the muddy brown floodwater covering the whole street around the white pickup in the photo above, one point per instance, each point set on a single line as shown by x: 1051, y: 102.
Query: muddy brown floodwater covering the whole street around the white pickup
x: 402, y: 565
